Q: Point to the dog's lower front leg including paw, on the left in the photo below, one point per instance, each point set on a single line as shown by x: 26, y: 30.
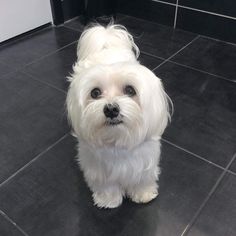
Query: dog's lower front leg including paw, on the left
x: 109, y: 196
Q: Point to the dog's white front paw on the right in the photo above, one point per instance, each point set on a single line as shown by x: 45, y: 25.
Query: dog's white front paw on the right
x: 144, y: 195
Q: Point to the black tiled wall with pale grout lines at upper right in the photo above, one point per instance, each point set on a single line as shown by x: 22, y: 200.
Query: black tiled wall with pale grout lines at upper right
x: 213, y: 18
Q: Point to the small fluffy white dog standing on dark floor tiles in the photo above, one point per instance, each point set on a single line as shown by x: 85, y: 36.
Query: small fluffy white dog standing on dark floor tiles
x: 118, y: 110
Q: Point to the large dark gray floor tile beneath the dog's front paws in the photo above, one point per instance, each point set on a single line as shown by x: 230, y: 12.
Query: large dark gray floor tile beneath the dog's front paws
x: 50, y: 197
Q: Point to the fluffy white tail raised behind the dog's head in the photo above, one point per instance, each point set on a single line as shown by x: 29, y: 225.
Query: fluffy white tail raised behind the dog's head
x: 97, y: 38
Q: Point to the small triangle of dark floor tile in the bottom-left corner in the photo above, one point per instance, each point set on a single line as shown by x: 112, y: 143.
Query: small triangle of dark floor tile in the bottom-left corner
x: 7, y: 228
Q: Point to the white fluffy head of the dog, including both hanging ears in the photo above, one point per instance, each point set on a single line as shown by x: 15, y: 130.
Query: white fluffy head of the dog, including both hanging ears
x: 117, y: 105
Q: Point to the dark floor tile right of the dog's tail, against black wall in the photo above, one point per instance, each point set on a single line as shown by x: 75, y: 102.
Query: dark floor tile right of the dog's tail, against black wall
x: 155, y: 39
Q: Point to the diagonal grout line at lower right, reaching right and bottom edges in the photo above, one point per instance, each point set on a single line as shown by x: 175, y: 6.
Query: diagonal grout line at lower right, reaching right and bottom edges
x: 190, y: 224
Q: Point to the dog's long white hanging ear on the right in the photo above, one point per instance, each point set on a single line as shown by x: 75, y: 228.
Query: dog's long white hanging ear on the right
x: 155, y: 103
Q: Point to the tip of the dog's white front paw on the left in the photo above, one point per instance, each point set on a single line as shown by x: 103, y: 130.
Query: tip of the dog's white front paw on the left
x: 107, y: 200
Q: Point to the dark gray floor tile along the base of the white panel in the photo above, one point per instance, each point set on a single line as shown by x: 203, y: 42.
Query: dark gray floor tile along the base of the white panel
x: 23, y: 51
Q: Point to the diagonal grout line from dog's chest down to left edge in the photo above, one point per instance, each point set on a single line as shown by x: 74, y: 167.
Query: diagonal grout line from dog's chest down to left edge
x: 34, y: 159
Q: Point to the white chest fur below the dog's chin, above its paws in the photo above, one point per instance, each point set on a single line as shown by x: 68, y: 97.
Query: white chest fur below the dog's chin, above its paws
x: 119, y: 165
